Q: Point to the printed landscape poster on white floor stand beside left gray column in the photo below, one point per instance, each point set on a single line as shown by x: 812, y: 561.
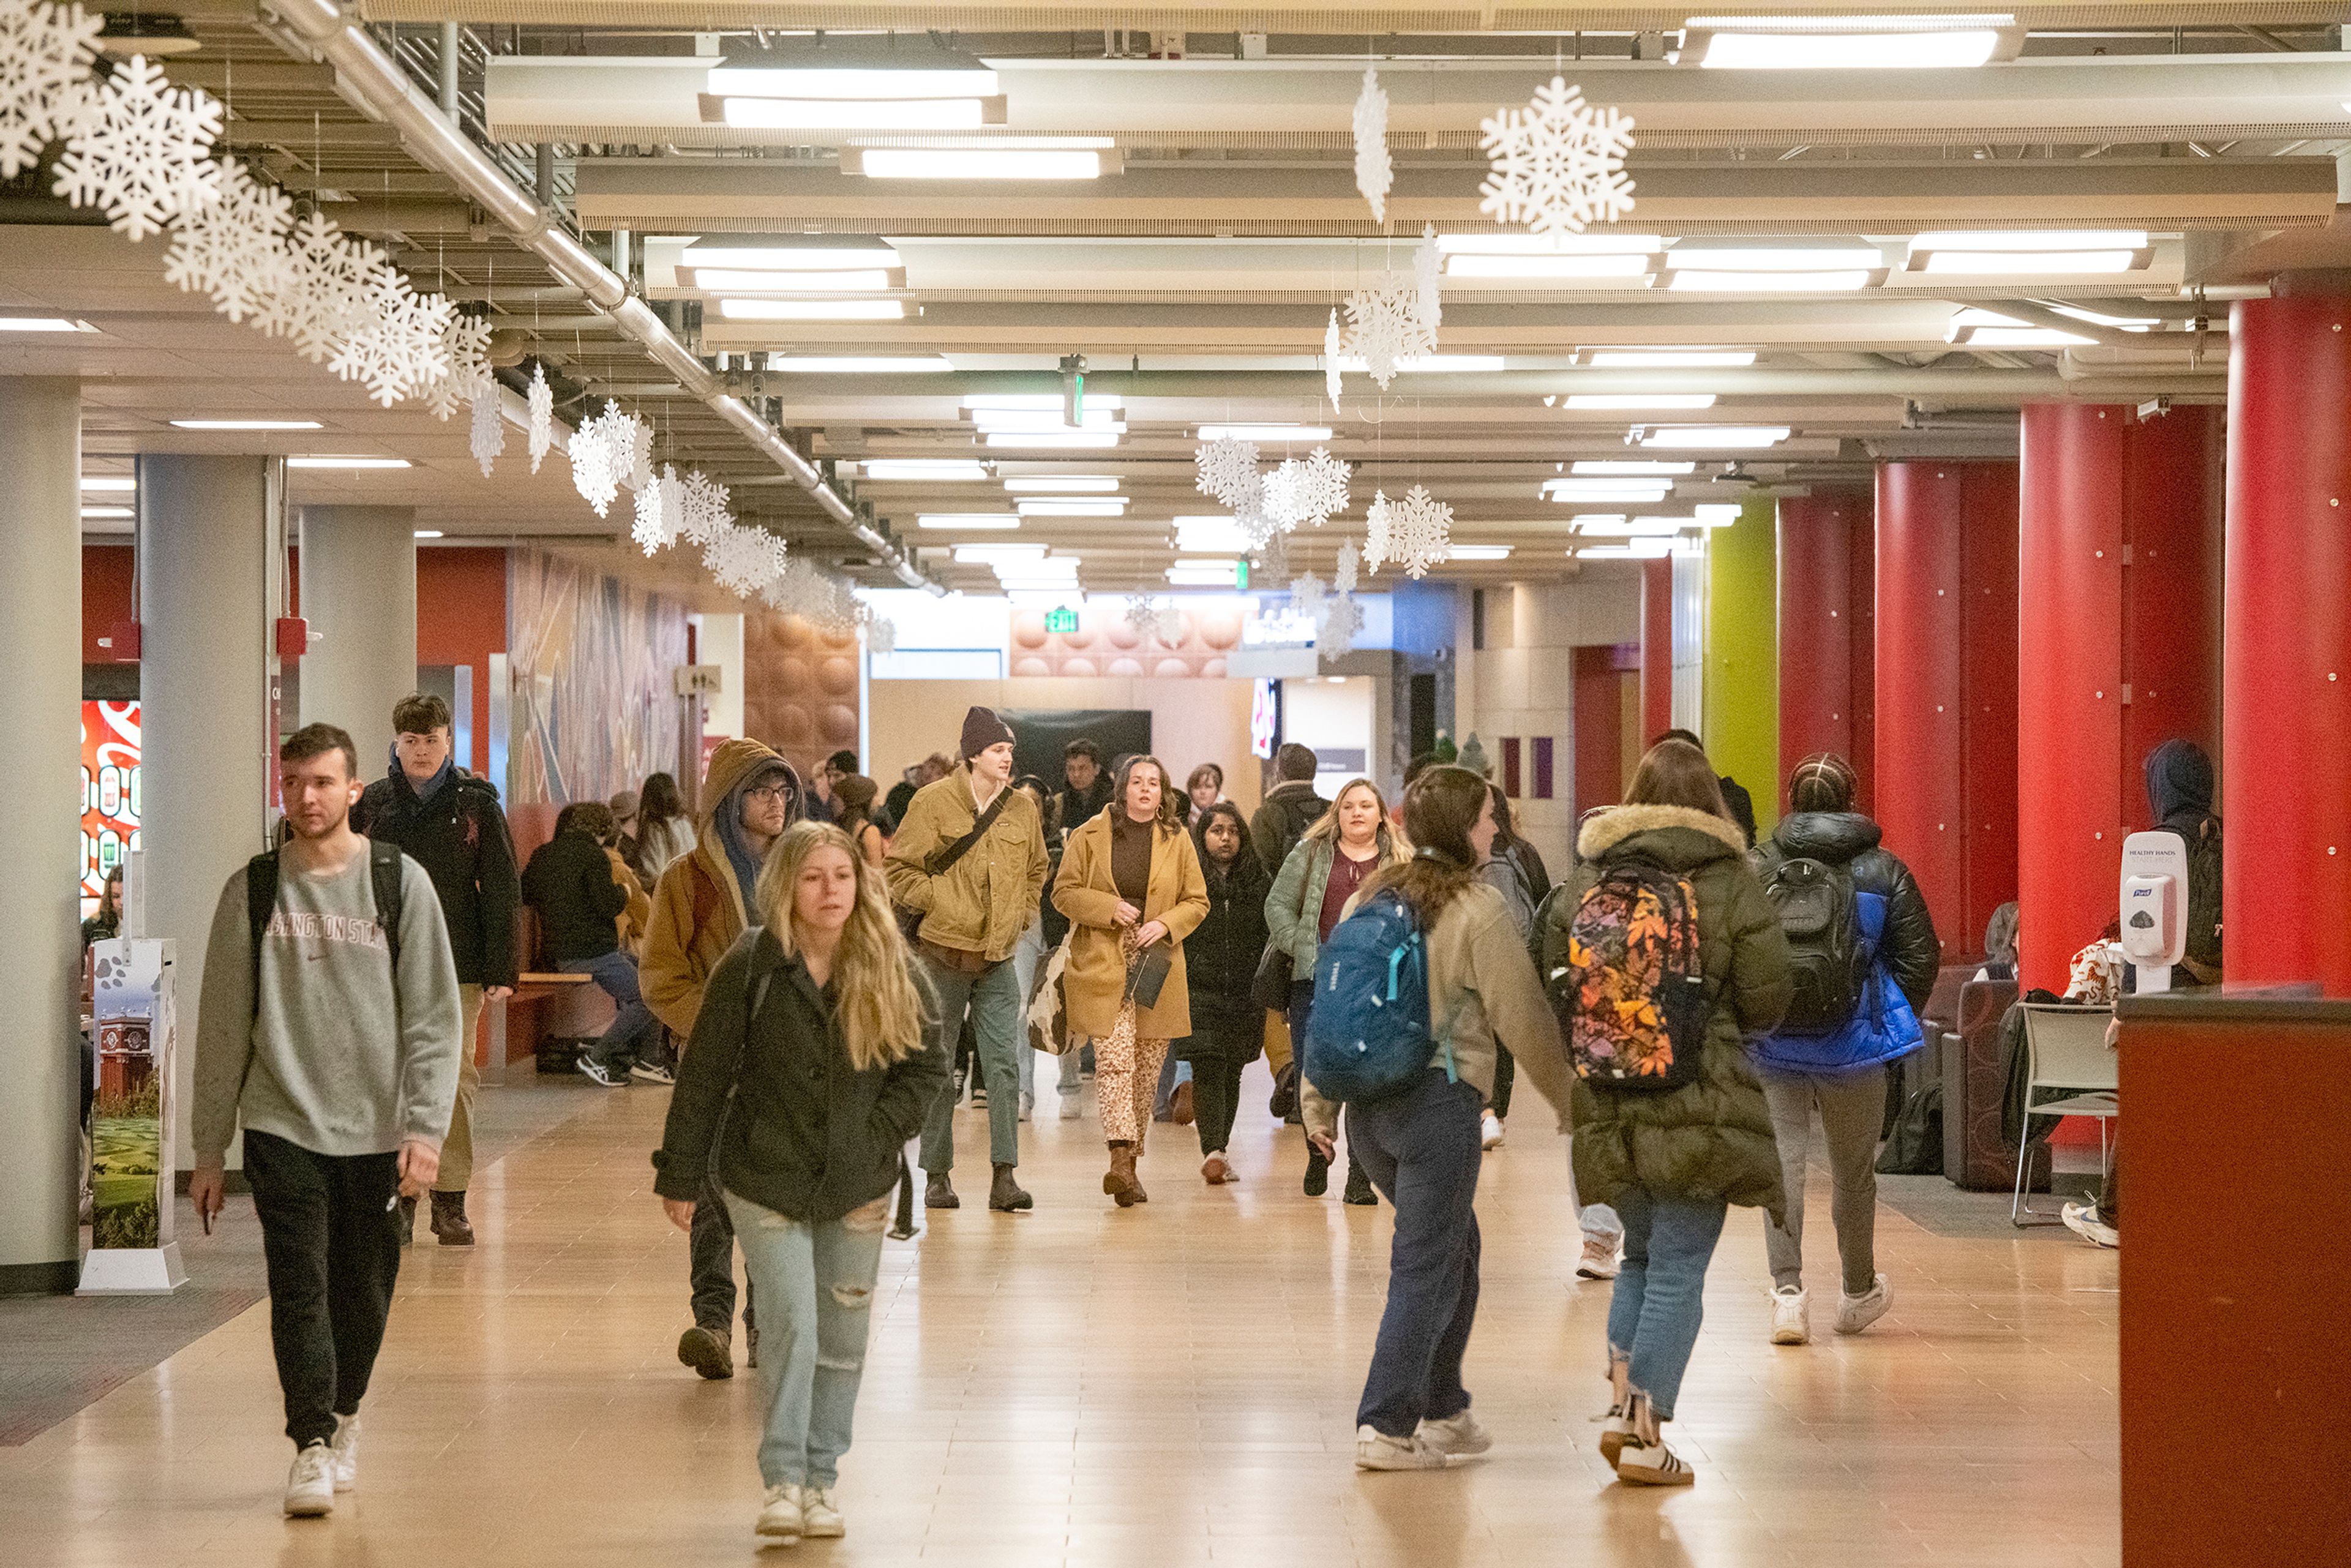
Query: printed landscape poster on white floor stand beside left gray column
x: 135, y: 1028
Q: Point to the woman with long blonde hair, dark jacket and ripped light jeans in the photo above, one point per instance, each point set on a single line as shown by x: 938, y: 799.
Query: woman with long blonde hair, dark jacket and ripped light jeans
x: 808, y: 1073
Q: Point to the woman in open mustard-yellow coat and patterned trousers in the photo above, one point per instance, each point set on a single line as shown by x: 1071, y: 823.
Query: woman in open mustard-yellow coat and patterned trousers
x: 1130, y: 883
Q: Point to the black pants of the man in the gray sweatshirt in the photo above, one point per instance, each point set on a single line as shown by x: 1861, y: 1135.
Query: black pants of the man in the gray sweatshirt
x: 330, y: 1238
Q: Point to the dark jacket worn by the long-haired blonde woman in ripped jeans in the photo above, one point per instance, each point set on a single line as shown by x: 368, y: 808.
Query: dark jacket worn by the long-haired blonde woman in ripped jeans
x: 805, y: 1134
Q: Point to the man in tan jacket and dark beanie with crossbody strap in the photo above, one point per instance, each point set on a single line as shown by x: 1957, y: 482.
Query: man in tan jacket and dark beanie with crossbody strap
x: 974, y: 902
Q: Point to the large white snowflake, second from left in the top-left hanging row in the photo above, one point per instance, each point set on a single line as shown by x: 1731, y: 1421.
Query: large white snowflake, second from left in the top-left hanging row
x: 142, y: 152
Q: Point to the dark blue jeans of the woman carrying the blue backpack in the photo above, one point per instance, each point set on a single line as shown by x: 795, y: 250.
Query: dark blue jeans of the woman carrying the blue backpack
x: 1424, y: 1155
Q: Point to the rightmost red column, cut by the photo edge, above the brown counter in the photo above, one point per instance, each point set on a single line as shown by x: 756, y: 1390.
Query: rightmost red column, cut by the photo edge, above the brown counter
x: 2286, y: 657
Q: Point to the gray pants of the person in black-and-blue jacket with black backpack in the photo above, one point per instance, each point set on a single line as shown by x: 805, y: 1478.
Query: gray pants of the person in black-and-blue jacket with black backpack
x: 1851, y: 1113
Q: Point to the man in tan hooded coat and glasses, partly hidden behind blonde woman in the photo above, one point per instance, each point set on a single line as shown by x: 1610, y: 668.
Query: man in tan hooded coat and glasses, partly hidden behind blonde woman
x: 704, y: 902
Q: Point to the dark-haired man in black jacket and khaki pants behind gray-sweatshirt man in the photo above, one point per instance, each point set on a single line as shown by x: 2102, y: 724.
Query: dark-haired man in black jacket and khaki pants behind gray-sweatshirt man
x: 450, y: 822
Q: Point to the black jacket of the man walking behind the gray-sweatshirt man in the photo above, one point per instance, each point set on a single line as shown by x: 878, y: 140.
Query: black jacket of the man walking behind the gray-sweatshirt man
x: 462, y: 840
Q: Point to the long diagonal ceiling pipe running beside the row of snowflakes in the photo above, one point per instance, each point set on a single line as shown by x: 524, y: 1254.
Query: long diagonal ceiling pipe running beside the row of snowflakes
x: 380, y: 88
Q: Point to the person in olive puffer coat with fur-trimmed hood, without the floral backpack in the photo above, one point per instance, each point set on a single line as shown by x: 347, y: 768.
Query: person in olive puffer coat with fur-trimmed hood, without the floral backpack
x: 1673, y: 1162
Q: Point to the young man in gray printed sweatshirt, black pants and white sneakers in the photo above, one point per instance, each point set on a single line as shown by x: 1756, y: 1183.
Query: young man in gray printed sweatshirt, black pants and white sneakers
x: 337, y: 1047
